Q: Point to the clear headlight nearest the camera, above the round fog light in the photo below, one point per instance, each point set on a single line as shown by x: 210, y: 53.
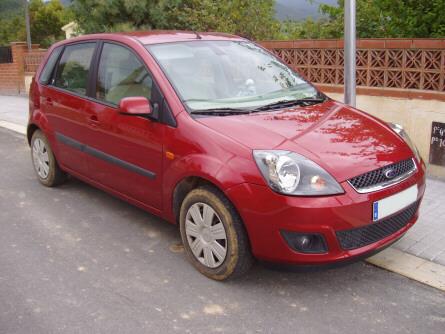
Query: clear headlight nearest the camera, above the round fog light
x: 292, y: 174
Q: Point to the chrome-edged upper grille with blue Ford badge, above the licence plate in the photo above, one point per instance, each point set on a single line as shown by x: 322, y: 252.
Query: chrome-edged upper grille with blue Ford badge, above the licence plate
x: 377, y: 177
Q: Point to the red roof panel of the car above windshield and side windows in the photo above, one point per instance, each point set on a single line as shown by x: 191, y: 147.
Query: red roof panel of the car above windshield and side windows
x: 160, y: 36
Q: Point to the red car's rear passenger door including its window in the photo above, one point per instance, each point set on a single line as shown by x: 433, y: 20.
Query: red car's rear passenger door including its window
x: 64, y: 102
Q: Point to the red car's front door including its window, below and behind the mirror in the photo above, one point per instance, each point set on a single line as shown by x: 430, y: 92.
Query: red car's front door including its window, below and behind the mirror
x: 126, y: 151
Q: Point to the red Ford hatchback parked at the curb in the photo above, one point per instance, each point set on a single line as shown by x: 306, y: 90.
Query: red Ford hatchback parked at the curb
x: 214, y: 133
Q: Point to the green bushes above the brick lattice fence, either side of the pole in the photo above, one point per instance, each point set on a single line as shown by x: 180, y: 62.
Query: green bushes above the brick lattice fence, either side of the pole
x: 375, y: 19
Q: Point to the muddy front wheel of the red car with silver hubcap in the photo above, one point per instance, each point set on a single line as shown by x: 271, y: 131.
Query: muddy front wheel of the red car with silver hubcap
x: 196, y: 210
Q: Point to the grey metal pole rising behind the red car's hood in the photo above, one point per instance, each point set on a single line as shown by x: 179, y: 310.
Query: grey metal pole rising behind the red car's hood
x: 350, y: 52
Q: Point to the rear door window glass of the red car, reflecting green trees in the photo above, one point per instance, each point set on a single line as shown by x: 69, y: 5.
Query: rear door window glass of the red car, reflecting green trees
x: 73, y: 68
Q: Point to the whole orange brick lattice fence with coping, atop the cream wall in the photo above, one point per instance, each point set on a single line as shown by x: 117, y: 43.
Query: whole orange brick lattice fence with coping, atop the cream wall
x: 408, y: 68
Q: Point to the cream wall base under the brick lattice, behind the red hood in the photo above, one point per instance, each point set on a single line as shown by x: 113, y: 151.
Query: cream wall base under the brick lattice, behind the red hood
x: 414, y: 114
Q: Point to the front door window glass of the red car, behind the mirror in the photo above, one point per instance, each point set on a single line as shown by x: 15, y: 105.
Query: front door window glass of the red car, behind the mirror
x: 120, y: 75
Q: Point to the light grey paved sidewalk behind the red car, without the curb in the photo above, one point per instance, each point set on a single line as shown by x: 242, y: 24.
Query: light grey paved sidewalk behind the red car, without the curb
x: 426, y: 240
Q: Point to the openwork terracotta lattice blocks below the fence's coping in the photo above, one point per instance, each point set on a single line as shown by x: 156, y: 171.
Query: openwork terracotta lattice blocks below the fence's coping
x: 412, y: 67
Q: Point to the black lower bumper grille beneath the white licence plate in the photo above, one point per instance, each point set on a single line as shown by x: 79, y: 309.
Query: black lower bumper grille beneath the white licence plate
x: 367, y: 235
